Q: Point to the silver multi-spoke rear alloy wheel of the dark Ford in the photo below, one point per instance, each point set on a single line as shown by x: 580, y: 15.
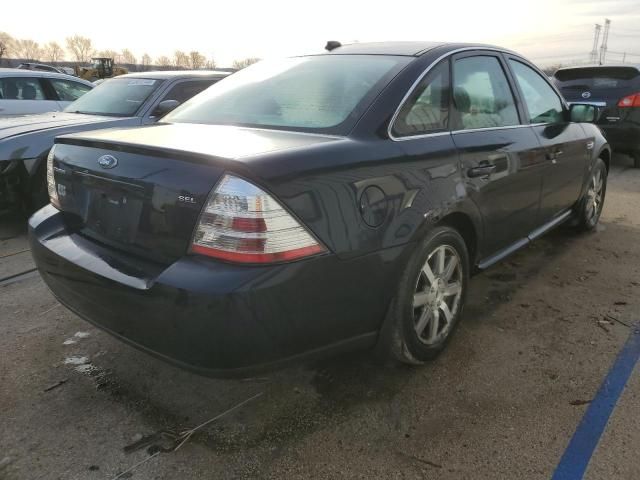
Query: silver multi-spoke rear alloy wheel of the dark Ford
x: 437, y: 295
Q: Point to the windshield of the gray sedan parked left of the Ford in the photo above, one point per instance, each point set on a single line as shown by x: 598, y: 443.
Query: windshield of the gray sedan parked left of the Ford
x: 120, y: 97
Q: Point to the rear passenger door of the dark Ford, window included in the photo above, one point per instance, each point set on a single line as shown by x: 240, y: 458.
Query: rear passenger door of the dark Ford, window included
x: 499, y: 155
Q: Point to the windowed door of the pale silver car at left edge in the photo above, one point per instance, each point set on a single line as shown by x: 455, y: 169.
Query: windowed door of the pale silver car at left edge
x: 25, y: 96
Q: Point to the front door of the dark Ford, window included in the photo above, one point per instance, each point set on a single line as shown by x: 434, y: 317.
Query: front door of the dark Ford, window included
x: 564, y: 143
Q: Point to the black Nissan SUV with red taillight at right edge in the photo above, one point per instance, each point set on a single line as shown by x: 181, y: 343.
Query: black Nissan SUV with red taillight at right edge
x: 616, y: 90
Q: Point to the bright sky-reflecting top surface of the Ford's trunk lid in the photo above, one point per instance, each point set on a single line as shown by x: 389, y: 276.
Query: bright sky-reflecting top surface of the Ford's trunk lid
x: 219, y: 141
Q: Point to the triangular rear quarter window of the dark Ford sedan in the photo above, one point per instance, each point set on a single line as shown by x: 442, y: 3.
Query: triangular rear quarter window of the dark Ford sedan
x: 427, y: 109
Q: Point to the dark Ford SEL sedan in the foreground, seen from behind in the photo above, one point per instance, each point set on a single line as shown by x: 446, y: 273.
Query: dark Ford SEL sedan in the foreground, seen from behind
x: 316, y: 204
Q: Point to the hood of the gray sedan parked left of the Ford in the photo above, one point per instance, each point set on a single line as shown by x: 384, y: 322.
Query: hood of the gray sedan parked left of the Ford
x: 31, y: 136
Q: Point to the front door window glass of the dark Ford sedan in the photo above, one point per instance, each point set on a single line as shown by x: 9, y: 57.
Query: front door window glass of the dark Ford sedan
x: 543, y: 104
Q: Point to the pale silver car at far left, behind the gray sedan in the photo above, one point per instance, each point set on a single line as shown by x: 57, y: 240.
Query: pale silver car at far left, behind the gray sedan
x: 24, y: 92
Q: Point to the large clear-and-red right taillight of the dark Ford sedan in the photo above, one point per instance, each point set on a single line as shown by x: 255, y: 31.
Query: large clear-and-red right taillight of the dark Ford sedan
x: 242, y: 223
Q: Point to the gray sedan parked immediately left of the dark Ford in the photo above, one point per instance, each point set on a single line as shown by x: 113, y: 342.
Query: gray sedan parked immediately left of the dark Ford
x: 134, y: 99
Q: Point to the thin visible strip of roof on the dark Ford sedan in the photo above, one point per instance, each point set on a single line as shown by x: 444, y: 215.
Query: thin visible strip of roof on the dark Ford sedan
x: 412, y: 49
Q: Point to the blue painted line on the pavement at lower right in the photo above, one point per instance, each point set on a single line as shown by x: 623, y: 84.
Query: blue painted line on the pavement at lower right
x: 576, y: 457
